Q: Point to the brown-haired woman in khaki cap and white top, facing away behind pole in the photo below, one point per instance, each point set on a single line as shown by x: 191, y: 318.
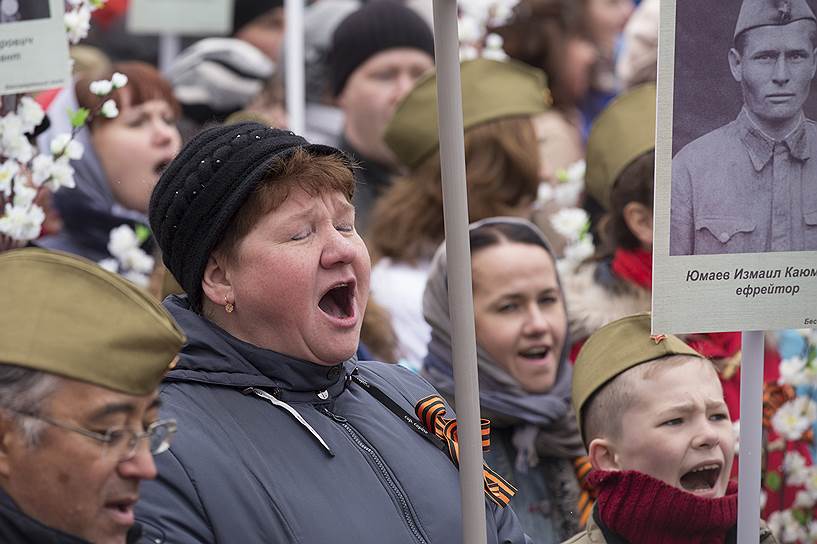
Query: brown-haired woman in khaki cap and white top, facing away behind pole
x: 503, y: 172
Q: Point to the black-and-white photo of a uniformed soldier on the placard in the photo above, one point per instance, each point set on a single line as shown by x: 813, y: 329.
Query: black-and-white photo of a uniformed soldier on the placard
x: 749, y: 184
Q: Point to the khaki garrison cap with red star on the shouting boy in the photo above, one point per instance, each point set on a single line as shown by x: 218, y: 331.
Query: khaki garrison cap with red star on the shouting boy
x: 614, y: 348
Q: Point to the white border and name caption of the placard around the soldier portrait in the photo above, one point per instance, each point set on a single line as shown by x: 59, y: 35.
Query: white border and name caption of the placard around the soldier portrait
x: 724, y: 292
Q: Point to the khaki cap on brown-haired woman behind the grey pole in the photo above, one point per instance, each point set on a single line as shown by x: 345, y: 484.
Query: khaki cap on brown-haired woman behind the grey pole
x: 490, y: 90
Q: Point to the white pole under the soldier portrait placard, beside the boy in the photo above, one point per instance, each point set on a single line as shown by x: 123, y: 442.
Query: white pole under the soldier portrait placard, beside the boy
x: 751, y: 428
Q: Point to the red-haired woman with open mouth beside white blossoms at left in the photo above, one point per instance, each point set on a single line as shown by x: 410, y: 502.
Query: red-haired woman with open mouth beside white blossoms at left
x: 123, y: 157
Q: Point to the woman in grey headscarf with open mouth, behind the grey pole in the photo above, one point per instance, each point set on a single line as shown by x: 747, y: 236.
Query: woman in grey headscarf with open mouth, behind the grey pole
x: 524, y: 374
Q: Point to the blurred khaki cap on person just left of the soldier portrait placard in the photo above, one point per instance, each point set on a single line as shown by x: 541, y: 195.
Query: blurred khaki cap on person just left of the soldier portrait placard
x: 621, y: 133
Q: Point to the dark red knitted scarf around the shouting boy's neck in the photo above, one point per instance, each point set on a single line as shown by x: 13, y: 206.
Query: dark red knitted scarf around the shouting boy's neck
x: 644, y: 510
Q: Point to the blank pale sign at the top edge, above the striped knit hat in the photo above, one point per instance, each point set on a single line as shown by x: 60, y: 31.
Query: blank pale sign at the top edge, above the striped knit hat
x: 183, y: 17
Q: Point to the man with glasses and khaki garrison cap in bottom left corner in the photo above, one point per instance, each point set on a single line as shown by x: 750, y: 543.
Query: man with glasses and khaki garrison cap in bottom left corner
x: 82, y: 352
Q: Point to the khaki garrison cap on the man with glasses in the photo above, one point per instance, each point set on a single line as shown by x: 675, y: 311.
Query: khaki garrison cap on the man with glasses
x: 67, y: 316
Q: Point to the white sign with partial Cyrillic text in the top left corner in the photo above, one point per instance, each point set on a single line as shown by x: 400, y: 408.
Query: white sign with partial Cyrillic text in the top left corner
x: 34, y: 48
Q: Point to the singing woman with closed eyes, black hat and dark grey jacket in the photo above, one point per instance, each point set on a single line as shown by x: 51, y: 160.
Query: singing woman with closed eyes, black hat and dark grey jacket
x: 283, y: 435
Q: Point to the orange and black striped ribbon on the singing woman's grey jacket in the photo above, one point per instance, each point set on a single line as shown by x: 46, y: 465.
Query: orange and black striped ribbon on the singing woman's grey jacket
x: 431, y: 410
